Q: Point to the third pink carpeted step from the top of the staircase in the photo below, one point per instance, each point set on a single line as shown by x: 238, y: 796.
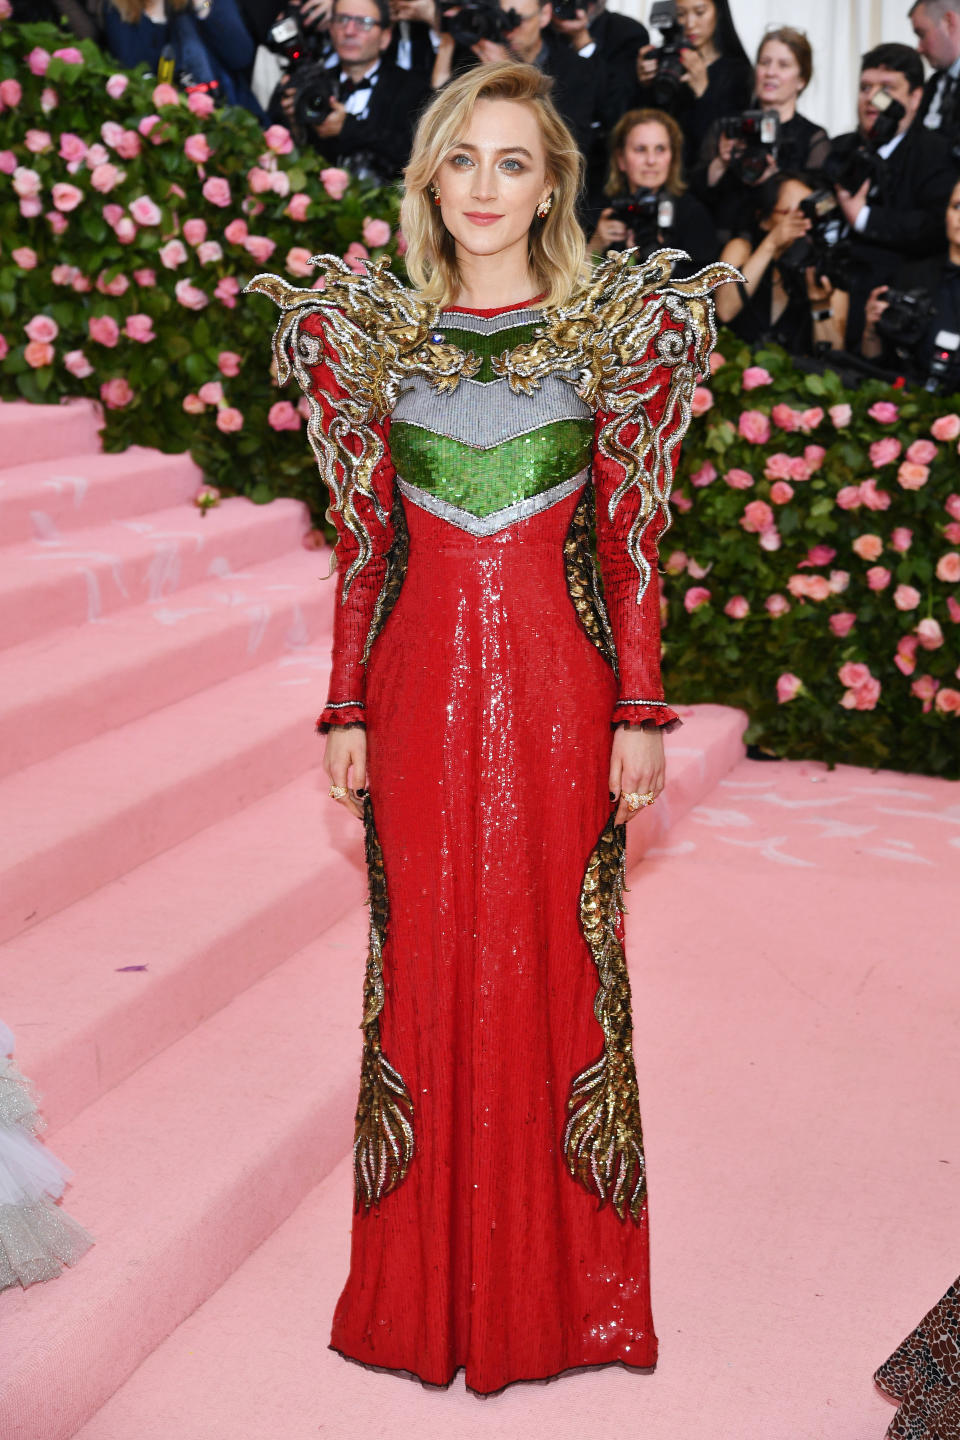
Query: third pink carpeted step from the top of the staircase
x: 89, y: 574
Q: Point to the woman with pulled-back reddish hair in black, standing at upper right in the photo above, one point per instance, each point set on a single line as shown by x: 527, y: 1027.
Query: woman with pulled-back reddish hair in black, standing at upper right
x: 785, y: 68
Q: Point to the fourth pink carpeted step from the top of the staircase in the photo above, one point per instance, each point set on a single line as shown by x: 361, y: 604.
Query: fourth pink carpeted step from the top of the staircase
x: 80, y: 682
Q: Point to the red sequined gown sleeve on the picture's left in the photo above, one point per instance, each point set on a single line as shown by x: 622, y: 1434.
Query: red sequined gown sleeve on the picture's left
x: 355, y: 614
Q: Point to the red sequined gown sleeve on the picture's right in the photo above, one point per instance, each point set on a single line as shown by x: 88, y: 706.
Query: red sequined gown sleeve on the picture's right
x: 637, y: 624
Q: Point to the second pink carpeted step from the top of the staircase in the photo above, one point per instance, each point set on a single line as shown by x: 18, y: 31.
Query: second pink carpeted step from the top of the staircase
x: 44, y: 498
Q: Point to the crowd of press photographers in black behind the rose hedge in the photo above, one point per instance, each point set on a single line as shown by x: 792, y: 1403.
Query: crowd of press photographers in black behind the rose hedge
x: 850, y: 246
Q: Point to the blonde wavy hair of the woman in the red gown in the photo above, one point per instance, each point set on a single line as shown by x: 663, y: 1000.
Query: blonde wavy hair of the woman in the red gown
x: 556, y: 246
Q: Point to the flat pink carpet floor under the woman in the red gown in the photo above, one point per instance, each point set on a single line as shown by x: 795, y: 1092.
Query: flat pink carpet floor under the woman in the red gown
x: 795, y: 1030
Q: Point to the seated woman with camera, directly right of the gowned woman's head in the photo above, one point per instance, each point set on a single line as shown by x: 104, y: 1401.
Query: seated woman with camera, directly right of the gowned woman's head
x: 647, y: 155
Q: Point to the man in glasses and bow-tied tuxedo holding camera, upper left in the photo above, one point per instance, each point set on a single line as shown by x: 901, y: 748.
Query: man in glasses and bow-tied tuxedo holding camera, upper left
x: 359, y: 112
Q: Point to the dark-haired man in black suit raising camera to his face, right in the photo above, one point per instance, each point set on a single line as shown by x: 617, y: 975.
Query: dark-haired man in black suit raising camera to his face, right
x: 892, y: 178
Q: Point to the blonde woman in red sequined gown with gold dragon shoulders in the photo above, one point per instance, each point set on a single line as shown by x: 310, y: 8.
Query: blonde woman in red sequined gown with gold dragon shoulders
x: 473, y: 436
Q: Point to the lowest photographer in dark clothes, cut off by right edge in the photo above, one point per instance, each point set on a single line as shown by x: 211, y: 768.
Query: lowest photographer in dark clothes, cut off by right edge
x: 916, y: 329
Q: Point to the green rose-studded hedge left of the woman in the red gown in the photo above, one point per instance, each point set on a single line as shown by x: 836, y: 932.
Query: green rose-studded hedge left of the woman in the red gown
x: 61, y: 270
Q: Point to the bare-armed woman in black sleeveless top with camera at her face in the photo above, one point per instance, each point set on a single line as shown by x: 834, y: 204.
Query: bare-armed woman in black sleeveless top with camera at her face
x: 787, y: 297
